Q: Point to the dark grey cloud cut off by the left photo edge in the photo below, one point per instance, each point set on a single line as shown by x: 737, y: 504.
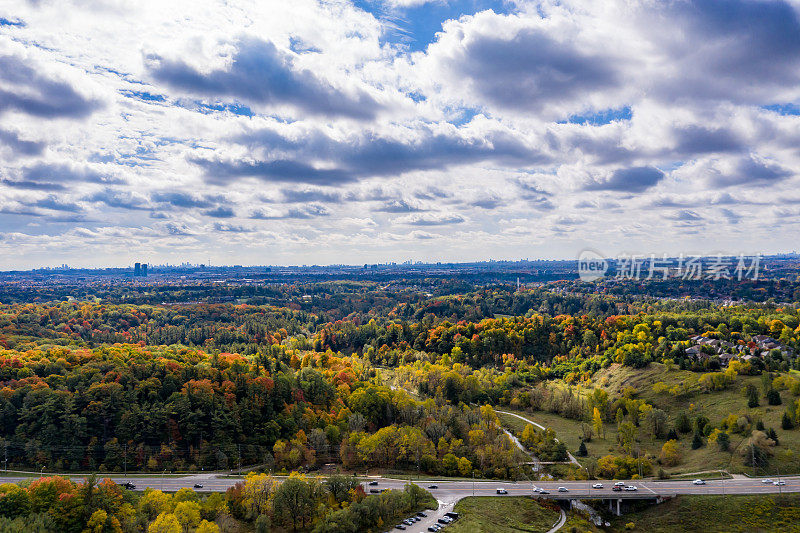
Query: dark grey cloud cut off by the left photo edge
x: 29, y: 91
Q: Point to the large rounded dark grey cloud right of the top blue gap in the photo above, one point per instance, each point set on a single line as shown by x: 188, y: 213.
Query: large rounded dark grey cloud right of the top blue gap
x: 531, y: 70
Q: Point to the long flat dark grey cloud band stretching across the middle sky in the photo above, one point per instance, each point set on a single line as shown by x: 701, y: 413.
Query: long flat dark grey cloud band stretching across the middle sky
x: 369, y: 156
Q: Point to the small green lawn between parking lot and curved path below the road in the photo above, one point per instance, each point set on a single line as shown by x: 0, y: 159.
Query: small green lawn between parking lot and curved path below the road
x: 502, y: 515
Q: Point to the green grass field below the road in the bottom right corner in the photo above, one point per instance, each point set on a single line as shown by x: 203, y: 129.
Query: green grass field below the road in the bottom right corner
x: 717, y: 514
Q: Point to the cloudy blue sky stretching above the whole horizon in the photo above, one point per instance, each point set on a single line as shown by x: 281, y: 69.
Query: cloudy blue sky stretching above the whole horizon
x: 326, y: 132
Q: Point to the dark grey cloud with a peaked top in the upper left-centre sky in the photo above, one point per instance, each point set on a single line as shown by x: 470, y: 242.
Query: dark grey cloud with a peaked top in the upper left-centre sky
x: 260, y: 73
